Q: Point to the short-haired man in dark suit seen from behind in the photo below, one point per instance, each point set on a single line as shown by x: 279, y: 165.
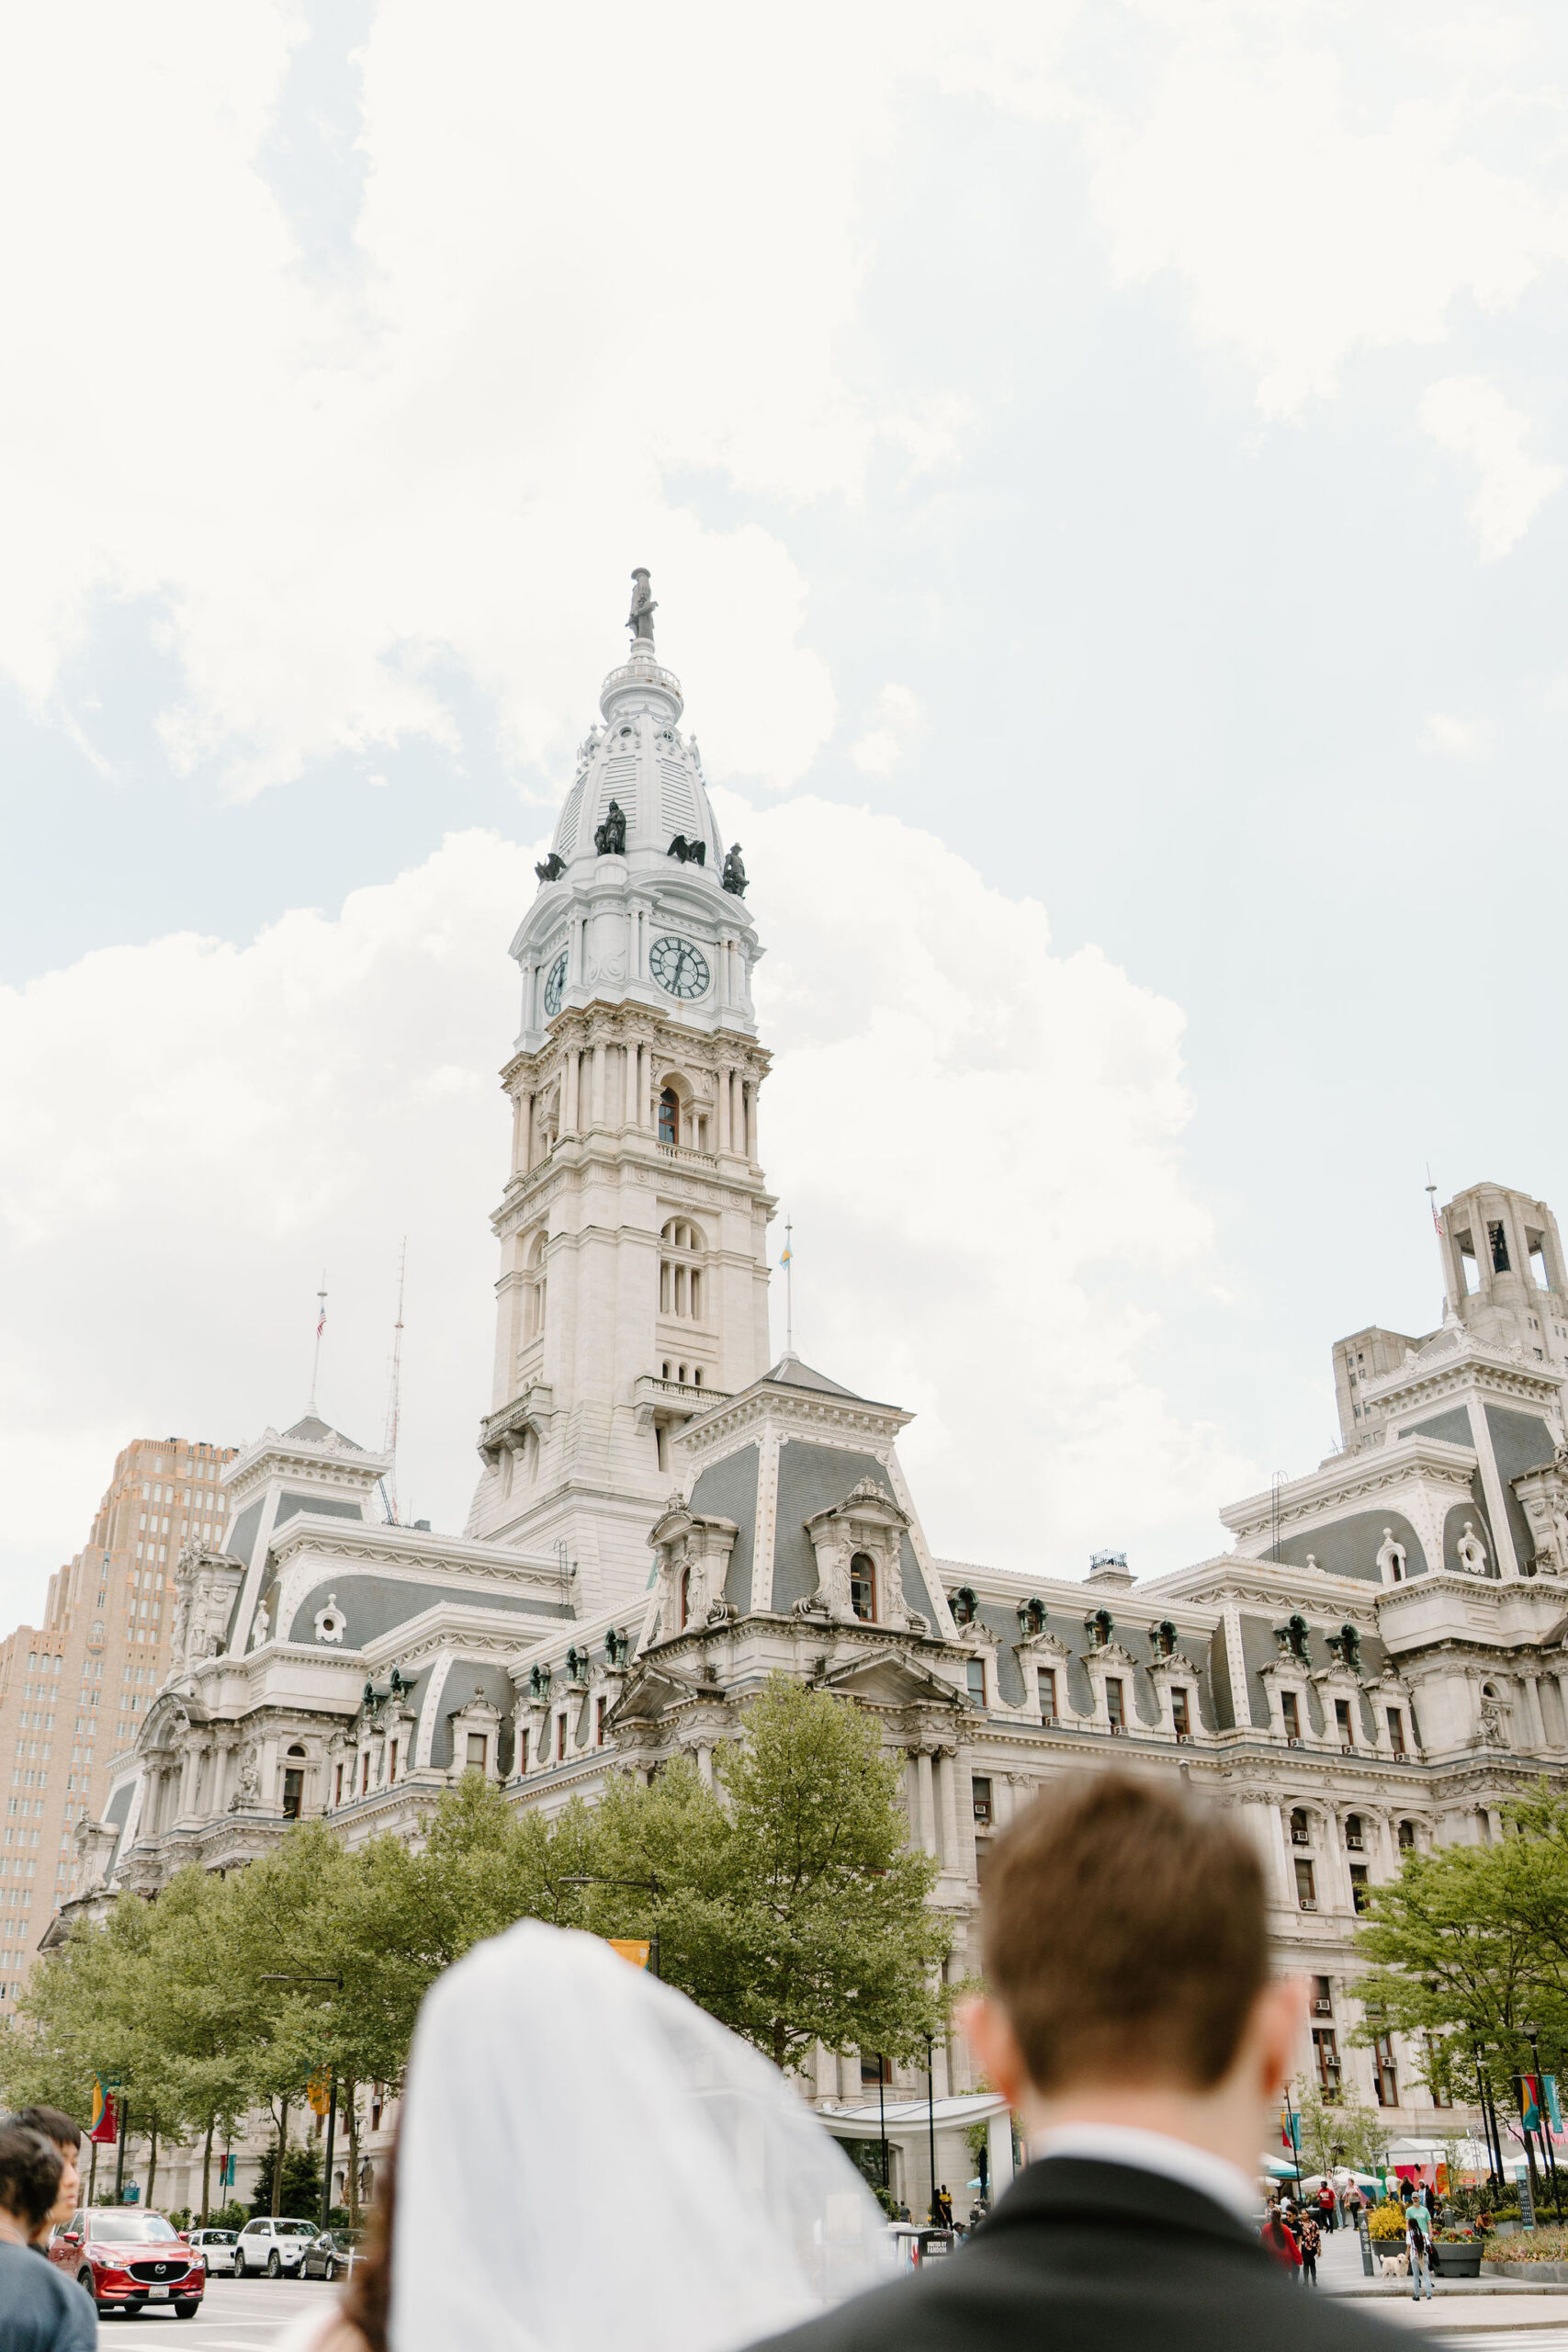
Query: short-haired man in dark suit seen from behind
x: 1144, y: 2045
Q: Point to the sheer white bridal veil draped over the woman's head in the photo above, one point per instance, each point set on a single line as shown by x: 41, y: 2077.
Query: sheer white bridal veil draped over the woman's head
x: 589, y: 2158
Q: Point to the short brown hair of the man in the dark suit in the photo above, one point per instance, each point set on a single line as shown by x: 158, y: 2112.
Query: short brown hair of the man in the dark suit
x: 1125, y: 1935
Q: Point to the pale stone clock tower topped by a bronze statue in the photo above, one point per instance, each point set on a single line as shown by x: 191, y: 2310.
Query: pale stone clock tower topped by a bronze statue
x: 634, y: 1227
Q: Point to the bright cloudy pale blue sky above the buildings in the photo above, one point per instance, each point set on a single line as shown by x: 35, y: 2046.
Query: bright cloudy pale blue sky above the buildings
x: 1104, y: 483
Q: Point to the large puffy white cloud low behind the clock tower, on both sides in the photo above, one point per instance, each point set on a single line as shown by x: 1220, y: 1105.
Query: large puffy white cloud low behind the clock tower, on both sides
x: 979, y: 1144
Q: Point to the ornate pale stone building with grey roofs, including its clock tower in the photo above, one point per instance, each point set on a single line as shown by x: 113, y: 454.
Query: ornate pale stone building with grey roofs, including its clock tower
x: 664, y: 1518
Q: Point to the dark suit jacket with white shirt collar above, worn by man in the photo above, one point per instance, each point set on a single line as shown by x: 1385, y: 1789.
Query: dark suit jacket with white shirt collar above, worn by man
x: 1092, y: 2257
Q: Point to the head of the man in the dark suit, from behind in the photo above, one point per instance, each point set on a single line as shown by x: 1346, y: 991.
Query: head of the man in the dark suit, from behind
x: 1127, y: 1958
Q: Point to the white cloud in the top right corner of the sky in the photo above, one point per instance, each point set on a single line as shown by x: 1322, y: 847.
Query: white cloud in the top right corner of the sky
x: 1313, y: 199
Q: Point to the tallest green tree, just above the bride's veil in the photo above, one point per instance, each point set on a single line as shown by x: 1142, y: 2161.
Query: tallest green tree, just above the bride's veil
x: 789, y: 1899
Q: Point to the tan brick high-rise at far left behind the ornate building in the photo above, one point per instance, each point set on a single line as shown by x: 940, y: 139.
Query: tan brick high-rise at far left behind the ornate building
x: 76, y: 1685
